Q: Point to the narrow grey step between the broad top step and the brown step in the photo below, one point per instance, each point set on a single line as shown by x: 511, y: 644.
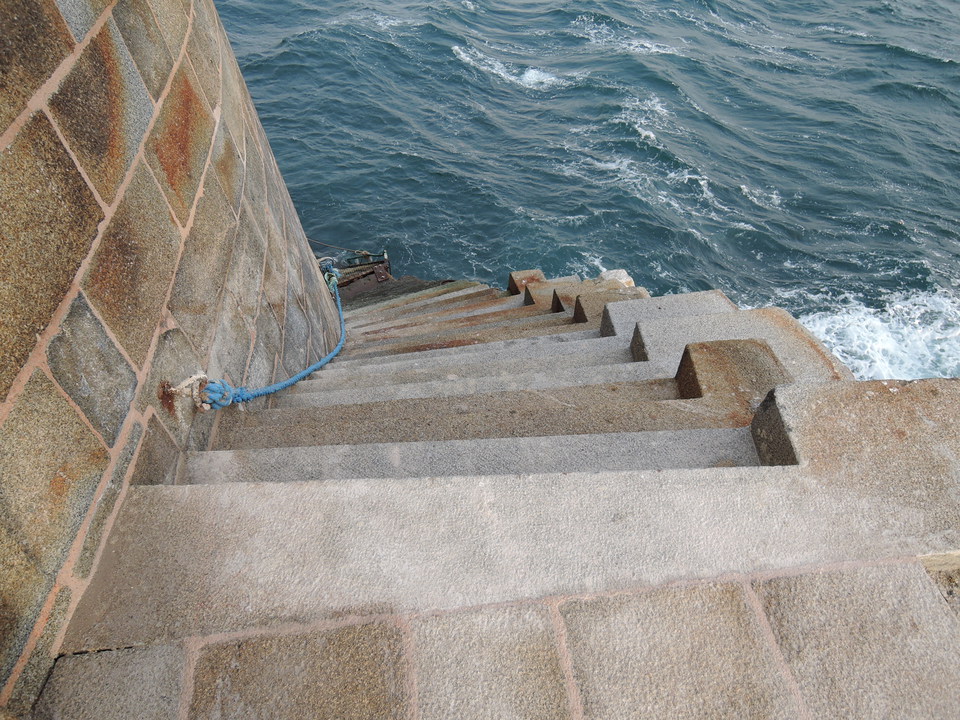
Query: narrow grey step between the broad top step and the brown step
x: 498, y: 456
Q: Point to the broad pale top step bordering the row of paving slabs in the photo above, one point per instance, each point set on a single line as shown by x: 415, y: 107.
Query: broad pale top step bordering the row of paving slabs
x: 187, y: 561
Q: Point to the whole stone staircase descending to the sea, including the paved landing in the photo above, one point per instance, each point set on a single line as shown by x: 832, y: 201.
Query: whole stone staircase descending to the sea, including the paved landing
x: 564, y: 500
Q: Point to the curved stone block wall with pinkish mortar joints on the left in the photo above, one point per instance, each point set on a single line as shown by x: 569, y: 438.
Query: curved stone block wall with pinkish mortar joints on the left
x: 145, y: 235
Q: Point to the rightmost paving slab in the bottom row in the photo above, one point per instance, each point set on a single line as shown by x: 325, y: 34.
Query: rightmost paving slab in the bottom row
x: 875, y: 642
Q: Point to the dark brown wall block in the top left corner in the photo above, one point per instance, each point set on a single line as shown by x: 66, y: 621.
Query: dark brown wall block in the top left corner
x: 35, y: 41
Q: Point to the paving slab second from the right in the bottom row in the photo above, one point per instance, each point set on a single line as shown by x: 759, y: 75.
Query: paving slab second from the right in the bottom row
x: 689, y: 652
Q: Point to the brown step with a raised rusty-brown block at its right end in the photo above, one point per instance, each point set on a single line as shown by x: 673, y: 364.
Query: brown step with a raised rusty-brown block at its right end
x: 718, y: 385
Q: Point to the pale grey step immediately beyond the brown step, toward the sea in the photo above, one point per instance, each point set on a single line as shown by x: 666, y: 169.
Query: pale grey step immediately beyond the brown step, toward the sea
x: 618, y: 367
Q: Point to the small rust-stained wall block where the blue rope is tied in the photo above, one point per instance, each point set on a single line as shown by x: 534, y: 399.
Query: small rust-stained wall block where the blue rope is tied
x: 173, y: 362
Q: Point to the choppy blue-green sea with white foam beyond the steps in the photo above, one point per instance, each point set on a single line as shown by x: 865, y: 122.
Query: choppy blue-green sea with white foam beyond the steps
x: 804, y: 154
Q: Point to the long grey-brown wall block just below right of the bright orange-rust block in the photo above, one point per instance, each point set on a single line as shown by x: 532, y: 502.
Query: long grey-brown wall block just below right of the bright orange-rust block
x: 200, y: 276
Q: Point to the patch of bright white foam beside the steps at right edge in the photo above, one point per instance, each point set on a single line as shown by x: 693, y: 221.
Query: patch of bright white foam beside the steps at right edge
x: 911, y: 336
